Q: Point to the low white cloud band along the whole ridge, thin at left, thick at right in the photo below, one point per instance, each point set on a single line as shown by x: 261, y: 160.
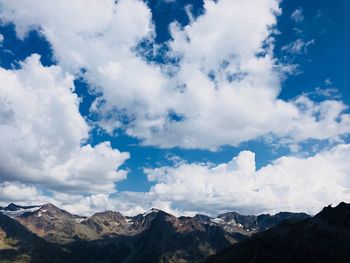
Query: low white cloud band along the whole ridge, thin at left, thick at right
x: 289, y: 183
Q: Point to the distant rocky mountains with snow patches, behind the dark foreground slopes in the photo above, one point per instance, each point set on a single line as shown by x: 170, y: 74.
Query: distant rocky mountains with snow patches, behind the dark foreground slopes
x: 154, y: 236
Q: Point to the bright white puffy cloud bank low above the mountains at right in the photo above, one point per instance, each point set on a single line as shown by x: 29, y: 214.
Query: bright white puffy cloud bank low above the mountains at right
x: 287, y: 184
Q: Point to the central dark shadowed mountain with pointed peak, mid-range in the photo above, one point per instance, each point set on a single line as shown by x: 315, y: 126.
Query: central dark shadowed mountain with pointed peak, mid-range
x: 164, y: 238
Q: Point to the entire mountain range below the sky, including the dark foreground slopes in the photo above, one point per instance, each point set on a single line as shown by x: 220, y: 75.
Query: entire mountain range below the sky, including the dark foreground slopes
x: 47, y: 233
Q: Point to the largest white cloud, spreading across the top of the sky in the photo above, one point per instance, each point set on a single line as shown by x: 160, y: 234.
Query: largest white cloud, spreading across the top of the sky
x: 222, y: 92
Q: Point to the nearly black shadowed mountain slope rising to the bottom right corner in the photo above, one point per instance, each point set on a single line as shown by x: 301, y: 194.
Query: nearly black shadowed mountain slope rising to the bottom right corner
x: 322, y: 238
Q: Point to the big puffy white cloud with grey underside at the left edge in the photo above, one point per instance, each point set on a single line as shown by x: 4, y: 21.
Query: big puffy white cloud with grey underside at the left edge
x: 42, y: 134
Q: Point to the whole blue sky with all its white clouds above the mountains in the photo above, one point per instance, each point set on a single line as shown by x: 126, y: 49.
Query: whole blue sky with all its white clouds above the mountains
x: 188, y: 106
